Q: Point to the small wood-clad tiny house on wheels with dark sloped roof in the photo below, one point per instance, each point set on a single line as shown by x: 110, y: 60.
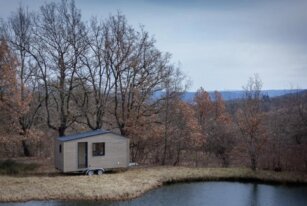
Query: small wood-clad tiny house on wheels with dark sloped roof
x: 92, y: 151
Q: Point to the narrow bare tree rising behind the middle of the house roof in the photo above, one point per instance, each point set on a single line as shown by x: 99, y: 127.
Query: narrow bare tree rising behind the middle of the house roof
x: 96, y: 79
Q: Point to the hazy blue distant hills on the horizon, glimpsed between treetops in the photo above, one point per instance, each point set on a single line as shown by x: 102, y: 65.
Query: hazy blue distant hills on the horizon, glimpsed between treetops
x: 232, y: 95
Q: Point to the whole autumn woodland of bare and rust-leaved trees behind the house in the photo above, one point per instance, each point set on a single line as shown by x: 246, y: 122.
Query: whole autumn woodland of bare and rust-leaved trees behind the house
x: 60, y: 75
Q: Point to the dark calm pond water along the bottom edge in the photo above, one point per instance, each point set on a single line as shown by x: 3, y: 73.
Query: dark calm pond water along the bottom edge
x: 205, y: 194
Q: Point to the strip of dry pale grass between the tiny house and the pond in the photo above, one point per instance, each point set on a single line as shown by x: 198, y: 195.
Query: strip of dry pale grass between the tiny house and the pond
x: 126, y: 185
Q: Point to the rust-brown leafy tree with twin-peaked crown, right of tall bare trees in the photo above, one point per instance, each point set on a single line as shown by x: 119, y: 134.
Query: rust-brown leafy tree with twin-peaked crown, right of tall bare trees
x: 215, y: 123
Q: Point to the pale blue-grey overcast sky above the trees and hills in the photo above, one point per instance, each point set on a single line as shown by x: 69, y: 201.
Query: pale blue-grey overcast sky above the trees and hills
x: 218, y: 43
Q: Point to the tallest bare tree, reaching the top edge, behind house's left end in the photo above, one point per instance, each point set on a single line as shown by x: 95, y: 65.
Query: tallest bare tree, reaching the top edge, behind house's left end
x: 59, y: 42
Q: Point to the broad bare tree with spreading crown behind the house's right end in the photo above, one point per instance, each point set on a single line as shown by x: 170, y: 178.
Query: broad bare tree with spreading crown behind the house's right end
x: 138, y: 70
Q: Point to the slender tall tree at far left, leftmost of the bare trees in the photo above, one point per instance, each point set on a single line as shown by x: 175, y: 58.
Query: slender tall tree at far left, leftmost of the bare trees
x: 18, y: 32
